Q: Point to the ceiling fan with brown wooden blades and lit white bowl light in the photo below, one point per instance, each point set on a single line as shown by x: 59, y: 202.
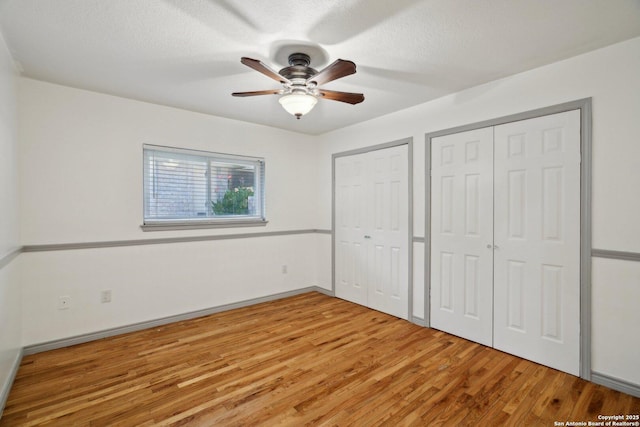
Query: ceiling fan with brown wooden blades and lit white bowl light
x: 300, y: 82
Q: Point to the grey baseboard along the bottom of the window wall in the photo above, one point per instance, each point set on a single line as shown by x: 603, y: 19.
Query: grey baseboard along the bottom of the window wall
x: 92, y: 336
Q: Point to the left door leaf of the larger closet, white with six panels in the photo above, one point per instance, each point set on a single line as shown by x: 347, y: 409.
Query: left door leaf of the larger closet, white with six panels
x: 462, y: 234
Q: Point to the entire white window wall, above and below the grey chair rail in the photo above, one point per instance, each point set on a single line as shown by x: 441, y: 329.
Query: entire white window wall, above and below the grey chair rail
x: 81, y: 181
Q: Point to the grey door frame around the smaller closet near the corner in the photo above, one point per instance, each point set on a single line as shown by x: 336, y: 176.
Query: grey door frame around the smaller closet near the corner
x: 409, y: 143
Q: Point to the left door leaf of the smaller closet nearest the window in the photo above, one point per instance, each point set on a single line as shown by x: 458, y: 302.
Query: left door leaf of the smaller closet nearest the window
x: 351, y: 225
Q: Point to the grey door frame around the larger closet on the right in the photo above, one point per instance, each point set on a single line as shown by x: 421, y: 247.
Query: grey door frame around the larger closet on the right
x: 584, y: 105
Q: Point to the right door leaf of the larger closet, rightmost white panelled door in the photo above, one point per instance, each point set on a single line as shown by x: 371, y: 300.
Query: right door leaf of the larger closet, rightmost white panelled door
x: 537, y: 239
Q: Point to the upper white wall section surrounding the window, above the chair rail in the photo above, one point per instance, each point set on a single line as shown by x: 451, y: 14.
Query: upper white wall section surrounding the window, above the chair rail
x: 81, y: 160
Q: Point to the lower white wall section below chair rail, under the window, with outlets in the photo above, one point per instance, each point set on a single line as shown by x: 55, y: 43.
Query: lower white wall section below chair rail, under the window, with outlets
x: 155, y: 281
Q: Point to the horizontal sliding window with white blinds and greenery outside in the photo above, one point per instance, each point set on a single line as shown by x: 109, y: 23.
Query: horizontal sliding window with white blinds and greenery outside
x: 190, y: 189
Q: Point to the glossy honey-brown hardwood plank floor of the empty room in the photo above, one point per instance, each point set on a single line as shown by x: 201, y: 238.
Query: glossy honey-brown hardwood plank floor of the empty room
x: 304, y: 360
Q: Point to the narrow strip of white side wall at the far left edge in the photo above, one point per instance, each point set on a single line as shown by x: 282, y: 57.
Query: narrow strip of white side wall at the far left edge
x: 10, y: 328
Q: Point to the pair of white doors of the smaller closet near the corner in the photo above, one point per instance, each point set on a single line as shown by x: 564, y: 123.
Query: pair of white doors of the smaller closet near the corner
x: 371, y: 225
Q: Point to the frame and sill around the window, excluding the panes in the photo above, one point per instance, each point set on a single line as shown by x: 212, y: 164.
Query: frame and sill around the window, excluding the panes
x: 156, y: 224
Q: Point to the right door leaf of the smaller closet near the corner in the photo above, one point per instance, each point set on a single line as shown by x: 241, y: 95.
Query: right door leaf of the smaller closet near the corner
x: 389, y: 231
